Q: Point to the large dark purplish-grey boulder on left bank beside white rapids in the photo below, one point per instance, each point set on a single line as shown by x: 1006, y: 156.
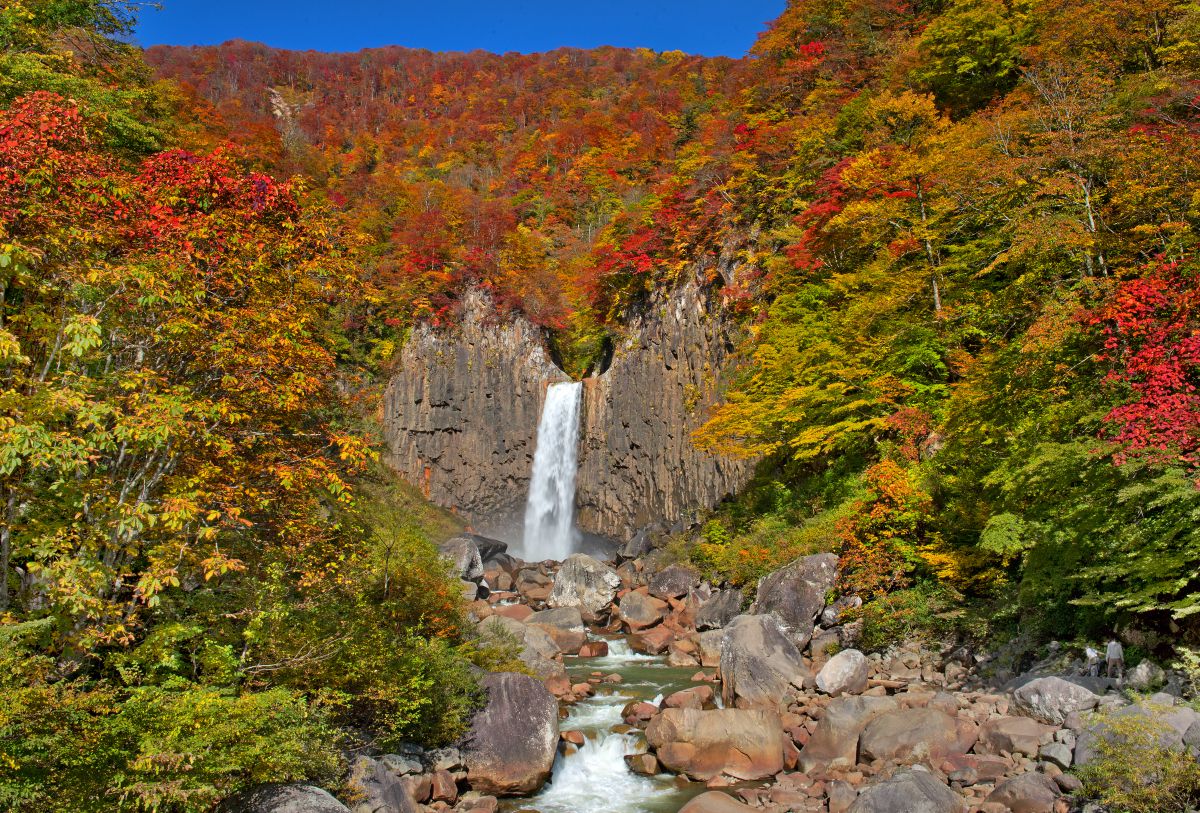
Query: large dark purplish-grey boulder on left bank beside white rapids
x: 513, y: 740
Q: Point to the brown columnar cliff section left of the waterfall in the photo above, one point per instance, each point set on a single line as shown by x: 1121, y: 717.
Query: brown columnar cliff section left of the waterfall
x: 461, y: 415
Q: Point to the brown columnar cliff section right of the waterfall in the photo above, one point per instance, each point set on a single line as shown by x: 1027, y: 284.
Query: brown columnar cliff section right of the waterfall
x: 639, y: 465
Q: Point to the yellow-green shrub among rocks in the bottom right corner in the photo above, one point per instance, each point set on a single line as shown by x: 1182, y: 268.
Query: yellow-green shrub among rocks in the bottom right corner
x: 1136, y: 772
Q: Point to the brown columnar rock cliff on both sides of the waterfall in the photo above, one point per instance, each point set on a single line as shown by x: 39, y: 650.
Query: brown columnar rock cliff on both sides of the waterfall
x: 461, y: 418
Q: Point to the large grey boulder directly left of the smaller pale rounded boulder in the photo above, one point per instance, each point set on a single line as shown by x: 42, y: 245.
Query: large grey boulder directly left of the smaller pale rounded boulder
x: 760, y: 665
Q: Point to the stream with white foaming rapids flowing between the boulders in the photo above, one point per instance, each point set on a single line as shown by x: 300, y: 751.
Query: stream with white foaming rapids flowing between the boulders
x: 596, y: 779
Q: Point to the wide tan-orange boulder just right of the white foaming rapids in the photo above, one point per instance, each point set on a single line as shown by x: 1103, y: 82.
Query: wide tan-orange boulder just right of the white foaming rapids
x: 739, y: 743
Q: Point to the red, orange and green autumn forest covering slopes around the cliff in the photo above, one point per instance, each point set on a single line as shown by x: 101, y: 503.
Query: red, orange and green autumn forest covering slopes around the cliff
x: 959, y: 237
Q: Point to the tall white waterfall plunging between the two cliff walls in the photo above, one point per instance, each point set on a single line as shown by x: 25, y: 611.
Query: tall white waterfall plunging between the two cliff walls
x: 550, y: 529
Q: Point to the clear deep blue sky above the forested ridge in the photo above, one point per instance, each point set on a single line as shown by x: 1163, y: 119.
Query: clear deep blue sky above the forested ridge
x: 698, y: 27
